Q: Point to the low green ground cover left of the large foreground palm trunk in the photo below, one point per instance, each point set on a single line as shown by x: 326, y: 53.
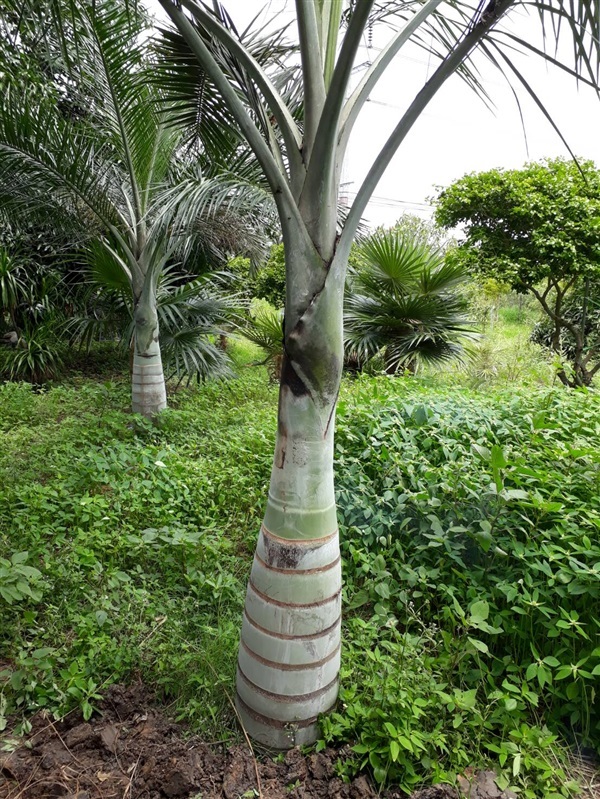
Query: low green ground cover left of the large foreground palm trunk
x: 143, y: 535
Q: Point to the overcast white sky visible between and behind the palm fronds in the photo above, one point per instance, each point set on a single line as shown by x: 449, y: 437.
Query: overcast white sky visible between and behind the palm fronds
x: 457, y: 133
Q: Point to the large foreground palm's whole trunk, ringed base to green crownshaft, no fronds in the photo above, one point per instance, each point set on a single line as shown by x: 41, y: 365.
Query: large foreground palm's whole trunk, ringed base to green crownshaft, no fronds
x: 290, y: 646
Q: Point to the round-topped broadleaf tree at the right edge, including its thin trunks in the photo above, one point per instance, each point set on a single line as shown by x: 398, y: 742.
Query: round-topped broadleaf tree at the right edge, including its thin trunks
x: 536, y: 230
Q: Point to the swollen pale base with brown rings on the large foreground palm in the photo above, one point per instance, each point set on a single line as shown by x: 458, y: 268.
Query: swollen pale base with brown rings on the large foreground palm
x: 290, y: 646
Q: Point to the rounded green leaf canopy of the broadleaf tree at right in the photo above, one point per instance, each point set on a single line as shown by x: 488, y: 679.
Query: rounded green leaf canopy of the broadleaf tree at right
x: 522, y: 226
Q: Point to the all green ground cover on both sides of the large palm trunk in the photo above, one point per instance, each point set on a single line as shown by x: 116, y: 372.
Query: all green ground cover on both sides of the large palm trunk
x: 469, y: 519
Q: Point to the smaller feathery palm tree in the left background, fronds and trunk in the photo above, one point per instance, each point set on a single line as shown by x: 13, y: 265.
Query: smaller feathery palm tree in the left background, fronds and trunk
x: 118, y: 175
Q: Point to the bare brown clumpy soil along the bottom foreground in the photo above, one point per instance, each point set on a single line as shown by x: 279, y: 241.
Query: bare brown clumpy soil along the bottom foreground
x: 131, y: 750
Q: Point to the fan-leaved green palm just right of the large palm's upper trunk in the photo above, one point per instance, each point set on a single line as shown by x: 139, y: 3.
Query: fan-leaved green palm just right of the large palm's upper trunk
x: 403, y: 302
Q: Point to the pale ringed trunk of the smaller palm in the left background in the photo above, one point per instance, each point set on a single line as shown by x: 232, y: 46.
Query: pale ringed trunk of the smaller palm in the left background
x: 149, y: 395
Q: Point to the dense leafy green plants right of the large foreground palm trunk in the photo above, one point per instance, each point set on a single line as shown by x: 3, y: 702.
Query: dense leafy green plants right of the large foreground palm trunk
x: 477, y: 517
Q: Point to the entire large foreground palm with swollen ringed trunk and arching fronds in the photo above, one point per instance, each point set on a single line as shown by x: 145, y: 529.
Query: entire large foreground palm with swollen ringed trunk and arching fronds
x: 289, y: 655
